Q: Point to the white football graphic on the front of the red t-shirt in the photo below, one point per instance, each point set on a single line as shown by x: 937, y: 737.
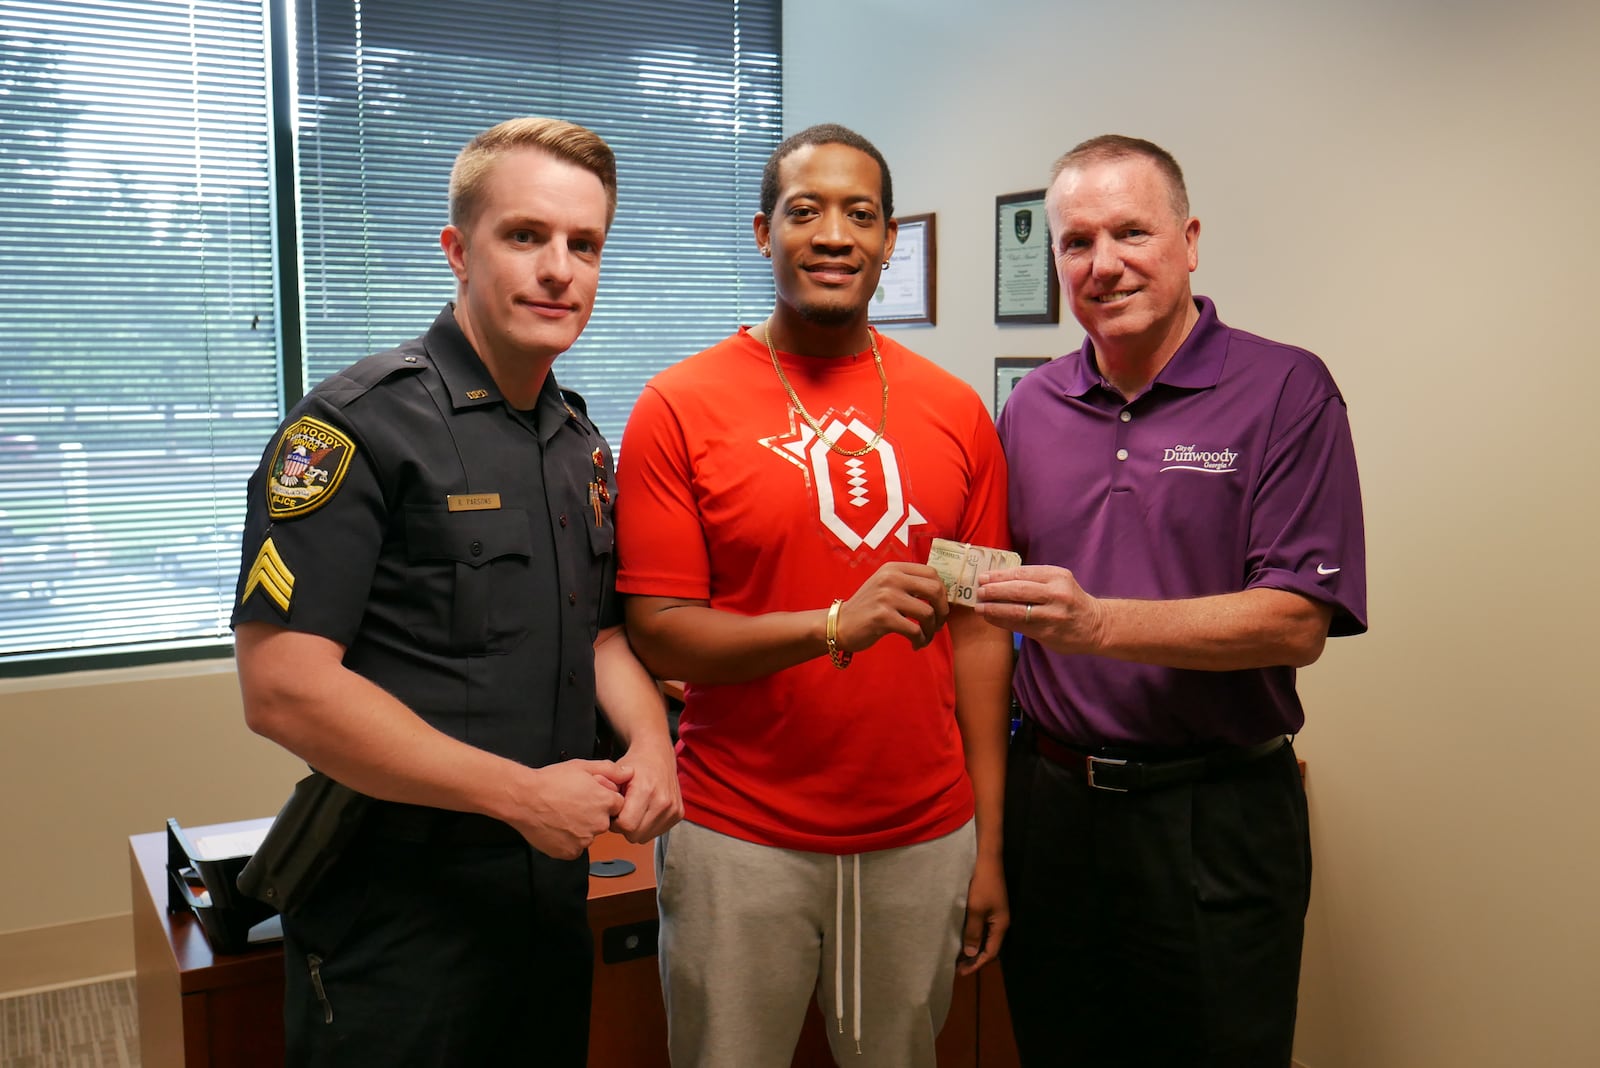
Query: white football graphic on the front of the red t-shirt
x: 860, y: 500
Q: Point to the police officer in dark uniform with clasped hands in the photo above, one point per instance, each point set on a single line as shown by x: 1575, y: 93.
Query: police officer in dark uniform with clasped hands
x: 426, y: 613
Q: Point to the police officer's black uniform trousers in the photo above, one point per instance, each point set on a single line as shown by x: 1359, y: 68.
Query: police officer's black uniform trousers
x: 422, y: 954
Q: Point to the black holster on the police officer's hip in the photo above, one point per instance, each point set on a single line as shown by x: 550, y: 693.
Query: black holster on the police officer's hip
x: 310, y: 834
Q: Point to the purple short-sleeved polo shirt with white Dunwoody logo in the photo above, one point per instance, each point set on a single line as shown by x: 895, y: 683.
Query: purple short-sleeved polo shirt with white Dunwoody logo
x: 1234, y: 471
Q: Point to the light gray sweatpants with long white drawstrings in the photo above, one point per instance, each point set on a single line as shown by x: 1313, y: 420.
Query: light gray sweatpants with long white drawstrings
x: 748, y: 933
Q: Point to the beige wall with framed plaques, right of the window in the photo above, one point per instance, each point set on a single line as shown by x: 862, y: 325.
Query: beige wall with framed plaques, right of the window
x: 1407, y: 189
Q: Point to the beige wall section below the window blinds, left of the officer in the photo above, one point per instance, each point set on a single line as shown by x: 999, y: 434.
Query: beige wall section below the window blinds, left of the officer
x: 89, y: 760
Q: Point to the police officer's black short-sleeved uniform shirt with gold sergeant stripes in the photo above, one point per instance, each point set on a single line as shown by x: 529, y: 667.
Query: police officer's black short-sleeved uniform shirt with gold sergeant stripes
x: 460, y: 551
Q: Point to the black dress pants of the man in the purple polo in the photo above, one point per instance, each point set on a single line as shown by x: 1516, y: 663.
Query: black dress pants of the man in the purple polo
x: 1156, y: 930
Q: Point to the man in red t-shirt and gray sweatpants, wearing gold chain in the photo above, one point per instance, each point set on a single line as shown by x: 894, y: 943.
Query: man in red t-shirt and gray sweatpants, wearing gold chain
x: 842, y: 744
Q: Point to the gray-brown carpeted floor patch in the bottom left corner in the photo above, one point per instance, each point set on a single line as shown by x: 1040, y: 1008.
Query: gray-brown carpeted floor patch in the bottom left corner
x: 95, y: 1026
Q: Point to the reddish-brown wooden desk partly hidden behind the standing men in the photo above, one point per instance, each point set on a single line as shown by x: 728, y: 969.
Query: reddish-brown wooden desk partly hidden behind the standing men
x: 223, y: 1011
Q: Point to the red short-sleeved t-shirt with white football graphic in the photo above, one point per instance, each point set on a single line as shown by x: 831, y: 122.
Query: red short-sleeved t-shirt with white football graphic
x: 727, y: 496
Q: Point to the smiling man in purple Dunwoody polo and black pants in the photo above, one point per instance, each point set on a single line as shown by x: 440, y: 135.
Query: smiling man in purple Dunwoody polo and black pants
x: 1186, y: 500
